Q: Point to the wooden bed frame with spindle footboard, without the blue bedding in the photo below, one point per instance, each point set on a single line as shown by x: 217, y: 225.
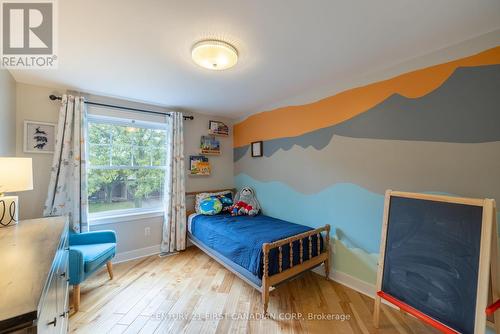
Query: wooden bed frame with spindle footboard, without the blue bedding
x: 269, y: 281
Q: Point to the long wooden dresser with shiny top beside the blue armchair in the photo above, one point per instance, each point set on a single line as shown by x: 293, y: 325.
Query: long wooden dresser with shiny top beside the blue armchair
x: 34, y: 276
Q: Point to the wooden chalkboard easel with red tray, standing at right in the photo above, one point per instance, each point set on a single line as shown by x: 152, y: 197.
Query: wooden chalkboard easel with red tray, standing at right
x: 434, y: 250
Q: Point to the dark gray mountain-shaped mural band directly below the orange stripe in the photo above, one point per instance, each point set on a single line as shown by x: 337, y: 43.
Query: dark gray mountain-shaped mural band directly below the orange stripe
x: 463, y: 110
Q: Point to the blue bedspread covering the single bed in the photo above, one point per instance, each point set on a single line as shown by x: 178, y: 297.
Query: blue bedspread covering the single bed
x: 240, y: 239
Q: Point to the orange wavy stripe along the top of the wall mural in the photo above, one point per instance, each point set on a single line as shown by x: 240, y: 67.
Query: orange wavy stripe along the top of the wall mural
x: 296, y: 120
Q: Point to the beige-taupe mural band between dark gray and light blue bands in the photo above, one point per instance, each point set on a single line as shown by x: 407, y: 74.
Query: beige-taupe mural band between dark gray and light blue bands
x: 377, y: 164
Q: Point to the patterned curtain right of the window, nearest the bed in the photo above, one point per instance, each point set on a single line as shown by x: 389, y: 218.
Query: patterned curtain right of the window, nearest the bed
x: 174, y: 224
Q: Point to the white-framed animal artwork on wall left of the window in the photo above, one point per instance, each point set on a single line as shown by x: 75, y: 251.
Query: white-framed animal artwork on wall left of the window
x: 39, y: 137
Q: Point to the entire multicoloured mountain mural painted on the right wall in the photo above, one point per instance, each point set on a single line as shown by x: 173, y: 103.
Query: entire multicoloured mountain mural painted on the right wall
x: 433, y: 130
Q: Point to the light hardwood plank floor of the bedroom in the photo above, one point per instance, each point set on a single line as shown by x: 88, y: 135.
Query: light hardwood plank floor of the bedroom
x: 190, y: 292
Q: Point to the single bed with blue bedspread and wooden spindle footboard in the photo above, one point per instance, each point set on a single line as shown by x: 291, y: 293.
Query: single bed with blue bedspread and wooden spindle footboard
x: 257, y: 249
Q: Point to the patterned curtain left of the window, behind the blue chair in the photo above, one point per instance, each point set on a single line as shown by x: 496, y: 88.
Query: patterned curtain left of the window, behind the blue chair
x: 67, y: 194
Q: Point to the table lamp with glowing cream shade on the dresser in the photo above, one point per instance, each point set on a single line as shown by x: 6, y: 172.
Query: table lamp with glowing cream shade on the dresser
x: 16, y: 174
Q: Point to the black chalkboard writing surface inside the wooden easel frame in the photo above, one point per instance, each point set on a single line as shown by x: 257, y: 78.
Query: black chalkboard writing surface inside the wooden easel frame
x: 432, y: 258
